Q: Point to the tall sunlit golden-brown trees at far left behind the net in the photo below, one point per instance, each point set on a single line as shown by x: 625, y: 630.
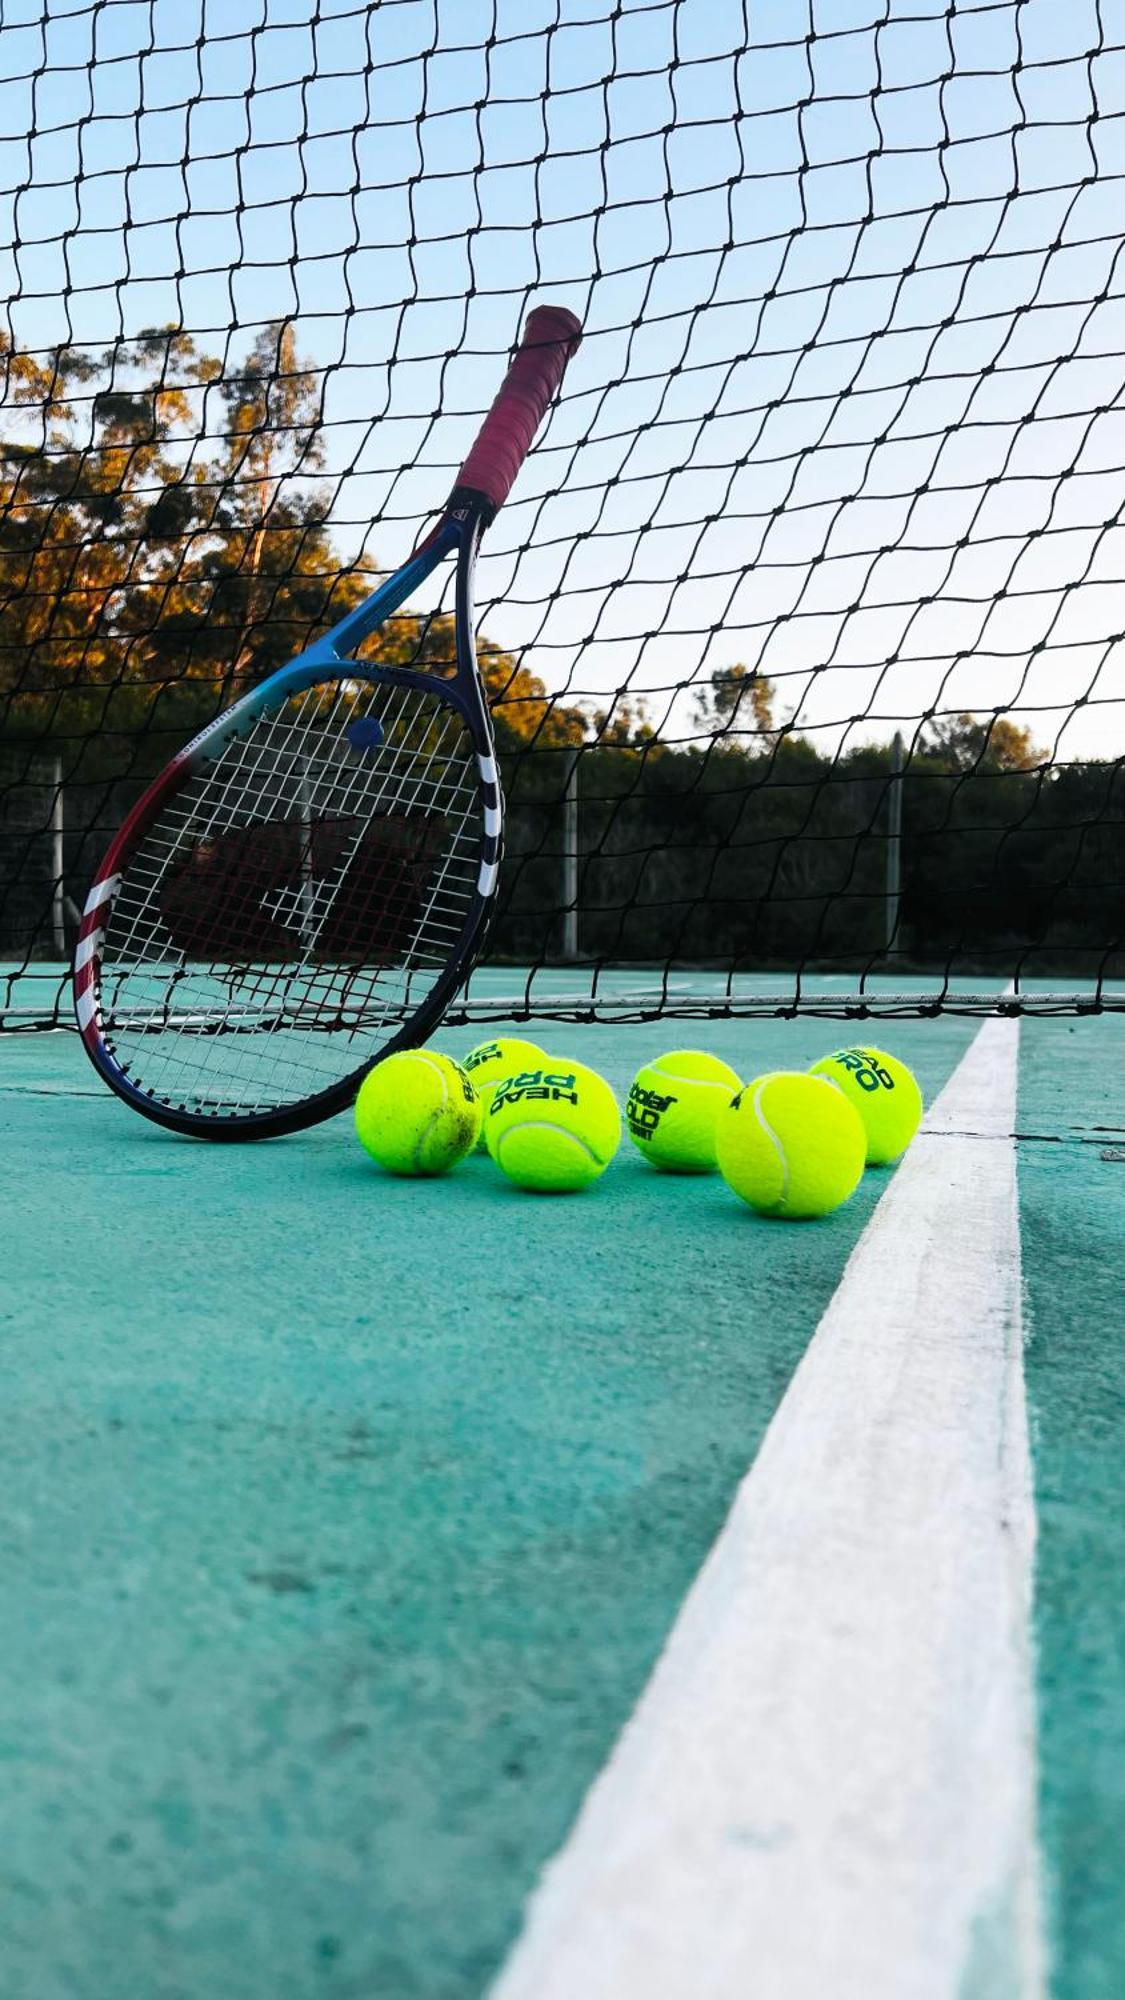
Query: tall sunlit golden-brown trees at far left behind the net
x: 145, y: 579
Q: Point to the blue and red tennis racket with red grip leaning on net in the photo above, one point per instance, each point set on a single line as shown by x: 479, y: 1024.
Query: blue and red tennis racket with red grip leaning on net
x: 305, y: 887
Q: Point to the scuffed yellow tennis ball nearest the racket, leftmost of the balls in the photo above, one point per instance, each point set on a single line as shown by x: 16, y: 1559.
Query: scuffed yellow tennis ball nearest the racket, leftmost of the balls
x: 417, y: 1113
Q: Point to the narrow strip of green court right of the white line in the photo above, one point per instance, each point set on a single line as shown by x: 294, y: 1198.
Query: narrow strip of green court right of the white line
x: 1072, y: 1175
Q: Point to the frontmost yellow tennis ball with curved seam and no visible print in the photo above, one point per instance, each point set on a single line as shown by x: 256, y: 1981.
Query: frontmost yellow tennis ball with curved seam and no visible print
x: 792, y: 1145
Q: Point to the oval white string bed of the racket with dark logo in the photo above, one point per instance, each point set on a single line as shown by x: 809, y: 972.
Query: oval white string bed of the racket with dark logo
x: 295, y: 901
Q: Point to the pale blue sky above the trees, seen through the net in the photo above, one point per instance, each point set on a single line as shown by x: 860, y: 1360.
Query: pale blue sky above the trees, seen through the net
x: 852, y: 399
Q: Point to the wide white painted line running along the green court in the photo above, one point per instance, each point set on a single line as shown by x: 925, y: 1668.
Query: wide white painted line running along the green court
x: 828, y: 1791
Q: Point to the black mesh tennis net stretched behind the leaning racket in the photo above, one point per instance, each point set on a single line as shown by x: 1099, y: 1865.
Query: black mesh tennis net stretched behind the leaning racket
x: 806, y: 623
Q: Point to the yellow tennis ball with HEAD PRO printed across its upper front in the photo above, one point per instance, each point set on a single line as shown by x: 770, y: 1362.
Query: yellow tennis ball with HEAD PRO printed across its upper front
x: 553, y: 1127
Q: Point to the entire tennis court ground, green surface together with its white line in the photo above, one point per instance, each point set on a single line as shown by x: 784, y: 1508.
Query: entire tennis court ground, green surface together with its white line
x: 373, y: 1547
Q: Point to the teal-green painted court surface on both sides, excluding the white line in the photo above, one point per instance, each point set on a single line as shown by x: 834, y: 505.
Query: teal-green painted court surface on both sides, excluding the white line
x: 347, y: 1517
